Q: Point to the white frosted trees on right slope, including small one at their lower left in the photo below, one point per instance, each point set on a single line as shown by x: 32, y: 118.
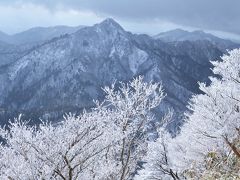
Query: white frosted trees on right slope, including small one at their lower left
x: 208, y: 146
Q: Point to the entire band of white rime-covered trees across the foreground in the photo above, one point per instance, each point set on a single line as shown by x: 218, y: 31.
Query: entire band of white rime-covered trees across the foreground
x: 109, y: 142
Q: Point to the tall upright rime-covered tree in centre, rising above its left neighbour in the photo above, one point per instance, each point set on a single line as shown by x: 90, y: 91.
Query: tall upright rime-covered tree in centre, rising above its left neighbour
x: 133, y: 102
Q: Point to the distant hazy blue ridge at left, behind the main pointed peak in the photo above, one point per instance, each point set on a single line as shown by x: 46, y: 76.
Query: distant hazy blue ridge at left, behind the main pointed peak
x: 13, y: 47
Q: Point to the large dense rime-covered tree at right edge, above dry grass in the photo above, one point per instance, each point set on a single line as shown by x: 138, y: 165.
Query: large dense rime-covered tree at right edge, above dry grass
x: 210, y: 137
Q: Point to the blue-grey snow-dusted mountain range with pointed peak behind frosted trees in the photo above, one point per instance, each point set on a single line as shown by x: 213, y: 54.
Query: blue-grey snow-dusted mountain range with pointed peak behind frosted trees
x: 66, y: 73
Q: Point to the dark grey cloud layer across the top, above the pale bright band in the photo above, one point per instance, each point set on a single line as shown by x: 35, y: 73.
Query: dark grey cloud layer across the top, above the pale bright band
x: 220, y: 15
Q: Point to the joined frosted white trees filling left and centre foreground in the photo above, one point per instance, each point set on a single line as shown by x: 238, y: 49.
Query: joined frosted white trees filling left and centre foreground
x: 106, y: 143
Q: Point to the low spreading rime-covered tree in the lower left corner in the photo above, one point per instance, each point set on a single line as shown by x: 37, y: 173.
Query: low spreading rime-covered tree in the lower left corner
x: 73, y: 149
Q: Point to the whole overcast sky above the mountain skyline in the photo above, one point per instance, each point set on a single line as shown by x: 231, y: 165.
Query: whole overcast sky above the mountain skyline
x: 140, y: 16
